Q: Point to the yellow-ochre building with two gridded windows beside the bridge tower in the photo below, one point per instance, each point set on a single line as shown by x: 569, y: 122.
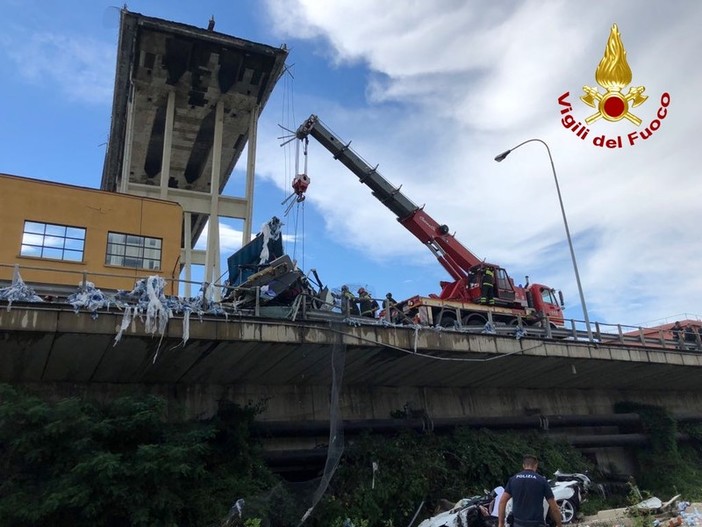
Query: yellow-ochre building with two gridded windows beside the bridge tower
x: 57, y: 232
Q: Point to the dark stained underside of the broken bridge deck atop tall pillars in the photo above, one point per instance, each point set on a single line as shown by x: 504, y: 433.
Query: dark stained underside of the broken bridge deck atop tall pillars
x: 200, y: 68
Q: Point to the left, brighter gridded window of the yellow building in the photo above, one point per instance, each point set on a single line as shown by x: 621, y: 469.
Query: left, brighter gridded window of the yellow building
x: 49, y: 240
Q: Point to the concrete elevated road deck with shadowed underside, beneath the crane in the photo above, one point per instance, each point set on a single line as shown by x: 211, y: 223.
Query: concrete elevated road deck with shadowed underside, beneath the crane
x: 288, y: 365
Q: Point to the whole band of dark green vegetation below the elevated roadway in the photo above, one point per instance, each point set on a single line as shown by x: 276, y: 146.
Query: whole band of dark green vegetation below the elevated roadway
x: 79, y: 463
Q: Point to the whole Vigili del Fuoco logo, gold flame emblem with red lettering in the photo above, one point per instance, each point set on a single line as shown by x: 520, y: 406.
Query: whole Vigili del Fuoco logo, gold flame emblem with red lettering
x: 613, y: 74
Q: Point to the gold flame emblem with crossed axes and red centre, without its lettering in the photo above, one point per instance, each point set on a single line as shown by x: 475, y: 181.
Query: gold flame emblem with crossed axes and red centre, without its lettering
x: 613, y: 74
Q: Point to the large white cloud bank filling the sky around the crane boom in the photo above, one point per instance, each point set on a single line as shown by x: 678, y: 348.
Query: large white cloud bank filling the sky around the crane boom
x: 451, y: 86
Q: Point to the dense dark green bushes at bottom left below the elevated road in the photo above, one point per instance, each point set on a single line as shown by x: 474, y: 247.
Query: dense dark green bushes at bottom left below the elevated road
x: 78, y: 463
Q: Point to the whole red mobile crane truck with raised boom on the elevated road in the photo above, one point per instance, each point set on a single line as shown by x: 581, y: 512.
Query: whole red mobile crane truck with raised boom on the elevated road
x: 458, y: 301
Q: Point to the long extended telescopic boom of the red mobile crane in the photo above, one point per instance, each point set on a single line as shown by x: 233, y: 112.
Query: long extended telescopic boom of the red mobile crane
x: 452, y: 255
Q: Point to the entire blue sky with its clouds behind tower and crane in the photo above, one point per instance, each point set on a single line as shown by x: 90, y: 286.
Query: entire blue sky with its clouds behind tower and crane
x: 430, y: 91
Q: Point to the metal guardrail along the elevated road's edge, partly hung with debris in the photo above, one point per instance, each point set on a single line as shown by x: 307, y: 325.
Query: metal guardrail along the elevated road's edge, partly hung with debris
x: 306, y: 307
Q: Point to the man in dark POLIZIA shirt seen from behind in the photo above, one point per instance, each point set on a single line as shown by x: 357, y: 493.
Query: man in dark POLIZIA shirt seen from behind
x: 527, y: 489
